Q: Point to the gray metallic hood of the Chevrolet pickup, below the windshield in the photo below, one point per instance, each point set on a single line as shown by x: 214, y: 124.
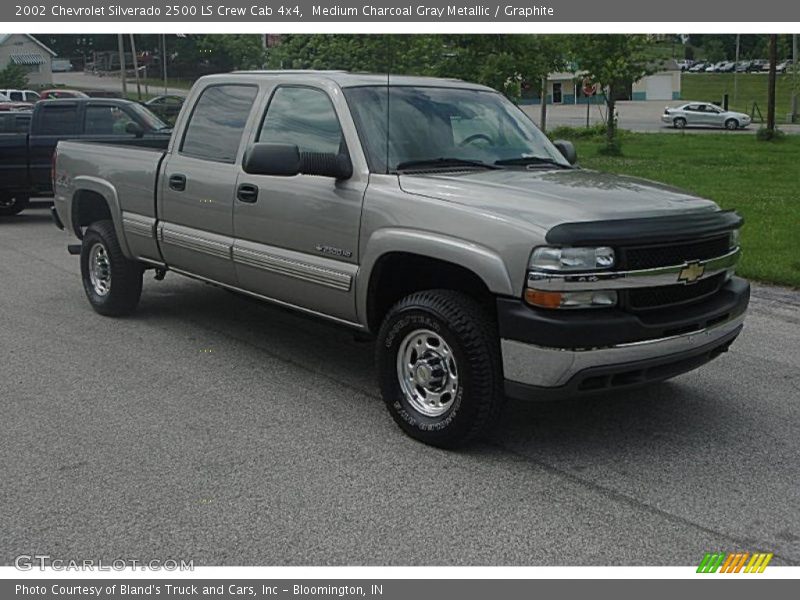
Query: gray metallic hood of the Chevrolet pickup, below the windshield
x: 546, y: 198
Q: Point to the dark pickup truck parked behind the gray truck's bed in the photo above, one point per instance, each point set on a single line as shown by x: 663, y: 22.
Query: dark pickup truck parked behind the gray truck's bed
x: 26, y: 157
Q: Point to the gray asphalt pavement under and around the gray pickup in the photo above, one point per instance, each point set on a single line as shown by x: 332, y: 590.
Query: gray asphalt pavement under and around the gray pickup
x: 213, y: 428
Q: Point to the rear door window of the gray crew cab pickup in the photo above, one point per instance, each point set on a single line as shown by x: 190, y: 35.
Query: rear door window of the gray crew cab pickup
x: 217, y: 122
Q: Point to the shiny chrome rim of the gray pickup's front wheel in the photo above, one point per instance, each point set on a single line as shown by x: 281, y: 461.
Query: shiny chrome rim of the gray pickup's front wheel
x: 427, y: 372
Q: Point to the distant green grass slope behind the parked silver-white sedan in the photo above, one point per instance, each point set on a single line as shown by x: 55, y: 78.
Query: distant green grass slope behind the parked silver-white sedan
x: 750, y: 88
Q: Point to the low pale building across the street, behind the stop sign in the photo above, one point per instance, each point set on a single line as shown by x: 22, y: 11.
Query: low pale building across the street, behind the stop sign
x: 567, y: 88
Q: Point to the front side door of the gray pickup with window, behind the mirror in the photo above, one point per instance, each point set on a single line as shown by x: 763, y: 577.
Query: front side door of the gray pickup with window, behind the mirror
x: 297, y: 240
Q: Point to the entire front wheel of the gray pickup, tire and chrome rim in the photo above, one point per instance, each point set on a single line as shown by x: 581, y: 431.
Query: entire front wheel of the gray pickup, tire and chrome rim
x: 439, y: 367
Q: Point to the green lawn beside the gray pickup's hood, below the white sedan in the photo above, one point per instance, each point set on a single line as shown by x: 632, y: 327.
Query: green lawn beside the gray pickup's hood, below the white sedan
x: 761, y: 180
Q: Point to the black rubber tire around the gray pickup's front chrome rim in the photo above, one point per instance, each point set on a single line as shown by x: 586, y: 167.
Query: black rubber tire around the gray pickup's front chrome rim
x: 471, y: 333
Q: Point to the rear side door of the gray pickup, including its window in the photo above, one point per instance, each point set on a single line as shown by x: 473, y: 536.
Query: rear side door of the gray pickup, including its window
x: 198, y: 180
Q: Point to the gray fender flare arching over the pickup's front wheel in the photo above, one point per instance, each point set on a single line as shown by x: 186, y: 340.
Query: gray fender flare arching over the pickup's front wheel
x: 482, y: 261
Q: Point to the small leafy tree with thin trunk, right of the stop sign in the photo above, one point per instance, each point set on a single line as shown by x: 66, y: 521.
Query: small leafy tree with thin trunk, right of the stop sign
x: 613, y: 62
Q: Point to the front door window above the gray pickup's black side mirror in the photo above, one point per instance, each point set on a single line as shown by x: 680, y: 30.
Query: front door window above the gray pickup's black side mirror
x: 302, y: 116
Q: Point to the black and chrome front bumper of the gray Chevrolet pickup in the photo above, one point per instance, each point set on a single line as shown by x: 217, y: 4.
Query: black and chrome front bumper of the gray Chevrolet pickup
x: 609, y: 350
